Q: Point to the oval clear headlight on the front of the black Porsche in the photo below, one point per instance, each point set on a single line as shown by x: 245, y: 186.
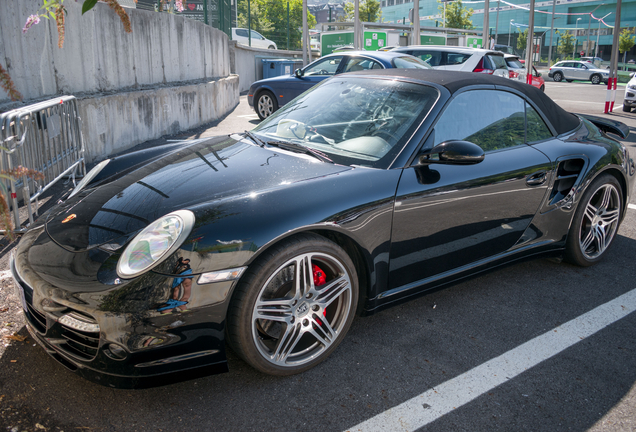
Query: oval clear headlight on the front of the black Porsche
x: 155, y: 242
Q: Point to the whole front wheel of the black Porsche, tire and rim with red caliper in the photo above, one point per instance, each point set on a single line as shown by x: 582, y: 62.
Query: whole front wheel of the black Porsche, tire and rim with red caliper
x: 284, y: 319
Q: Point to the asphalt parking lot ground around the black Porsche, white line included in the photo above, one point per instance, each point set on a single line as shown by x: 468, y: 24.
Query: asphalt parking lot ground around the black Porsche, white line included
x: 536, y: 346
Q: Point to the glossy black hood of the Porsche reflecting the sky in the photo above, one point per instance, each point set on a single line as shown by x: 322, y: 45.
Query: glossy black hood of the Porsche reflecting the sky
x: 207, y: 171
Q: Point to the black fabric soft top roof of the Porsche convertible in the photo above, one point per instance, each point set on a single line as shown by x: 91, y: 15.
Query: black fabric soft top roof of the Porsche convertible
x: 454, y: 81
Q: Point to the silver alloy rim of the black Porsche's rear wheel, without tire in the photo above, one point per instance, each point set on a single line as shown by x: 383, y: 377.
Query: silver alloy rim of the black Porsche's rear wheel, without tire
x: 600, y: 221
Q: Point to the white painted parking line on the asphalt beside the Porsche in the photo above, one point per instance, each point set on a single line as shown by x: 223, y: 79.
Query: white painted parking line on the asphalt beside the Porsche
x: 436, y: 402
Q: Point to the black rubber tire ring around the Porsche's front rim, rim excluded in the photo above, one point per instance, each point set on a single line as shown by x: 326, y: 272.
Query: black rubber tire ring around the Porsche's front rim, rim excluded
x: 251, y: 285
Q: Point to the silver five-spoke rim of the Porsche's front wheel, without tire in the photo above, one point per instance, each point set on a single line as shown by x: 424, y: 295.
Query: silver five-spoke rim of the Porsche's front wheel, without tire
x: 293, y: 320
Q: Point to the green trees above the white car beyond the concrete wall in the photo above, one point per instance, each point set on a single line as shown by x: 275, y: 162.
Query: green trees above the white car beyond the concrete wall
x: 269, y: 17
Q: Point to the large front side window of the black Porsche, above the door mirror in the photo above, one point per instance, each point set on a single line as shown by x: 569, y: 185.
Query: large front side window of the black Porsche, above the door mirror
x: 491, y: 119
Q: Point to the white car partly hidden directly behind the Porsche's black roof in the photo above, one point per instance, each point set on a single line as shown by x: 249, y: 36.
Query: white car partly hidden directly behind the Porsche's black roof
x: 459, y: 58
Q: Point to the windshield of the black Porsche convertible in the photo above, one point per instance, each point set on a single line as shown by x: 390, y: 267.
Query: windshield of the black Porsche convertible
x: 353, y: 120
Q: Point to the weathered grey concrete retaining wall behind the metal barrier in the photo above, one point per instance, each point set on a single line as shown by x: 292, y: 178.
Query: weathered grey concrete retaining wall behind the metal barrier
x: 170, y: 74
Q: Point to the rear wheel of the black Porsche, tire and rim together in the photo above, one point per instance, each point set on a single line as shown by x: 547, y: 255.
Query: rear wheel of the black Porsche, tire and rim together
x: 596, y: 221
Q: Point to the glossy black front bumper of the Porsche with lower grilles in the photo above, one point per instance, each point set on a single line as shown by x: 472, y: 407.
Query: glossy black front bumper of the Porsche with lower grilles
x: 158, y: 348
